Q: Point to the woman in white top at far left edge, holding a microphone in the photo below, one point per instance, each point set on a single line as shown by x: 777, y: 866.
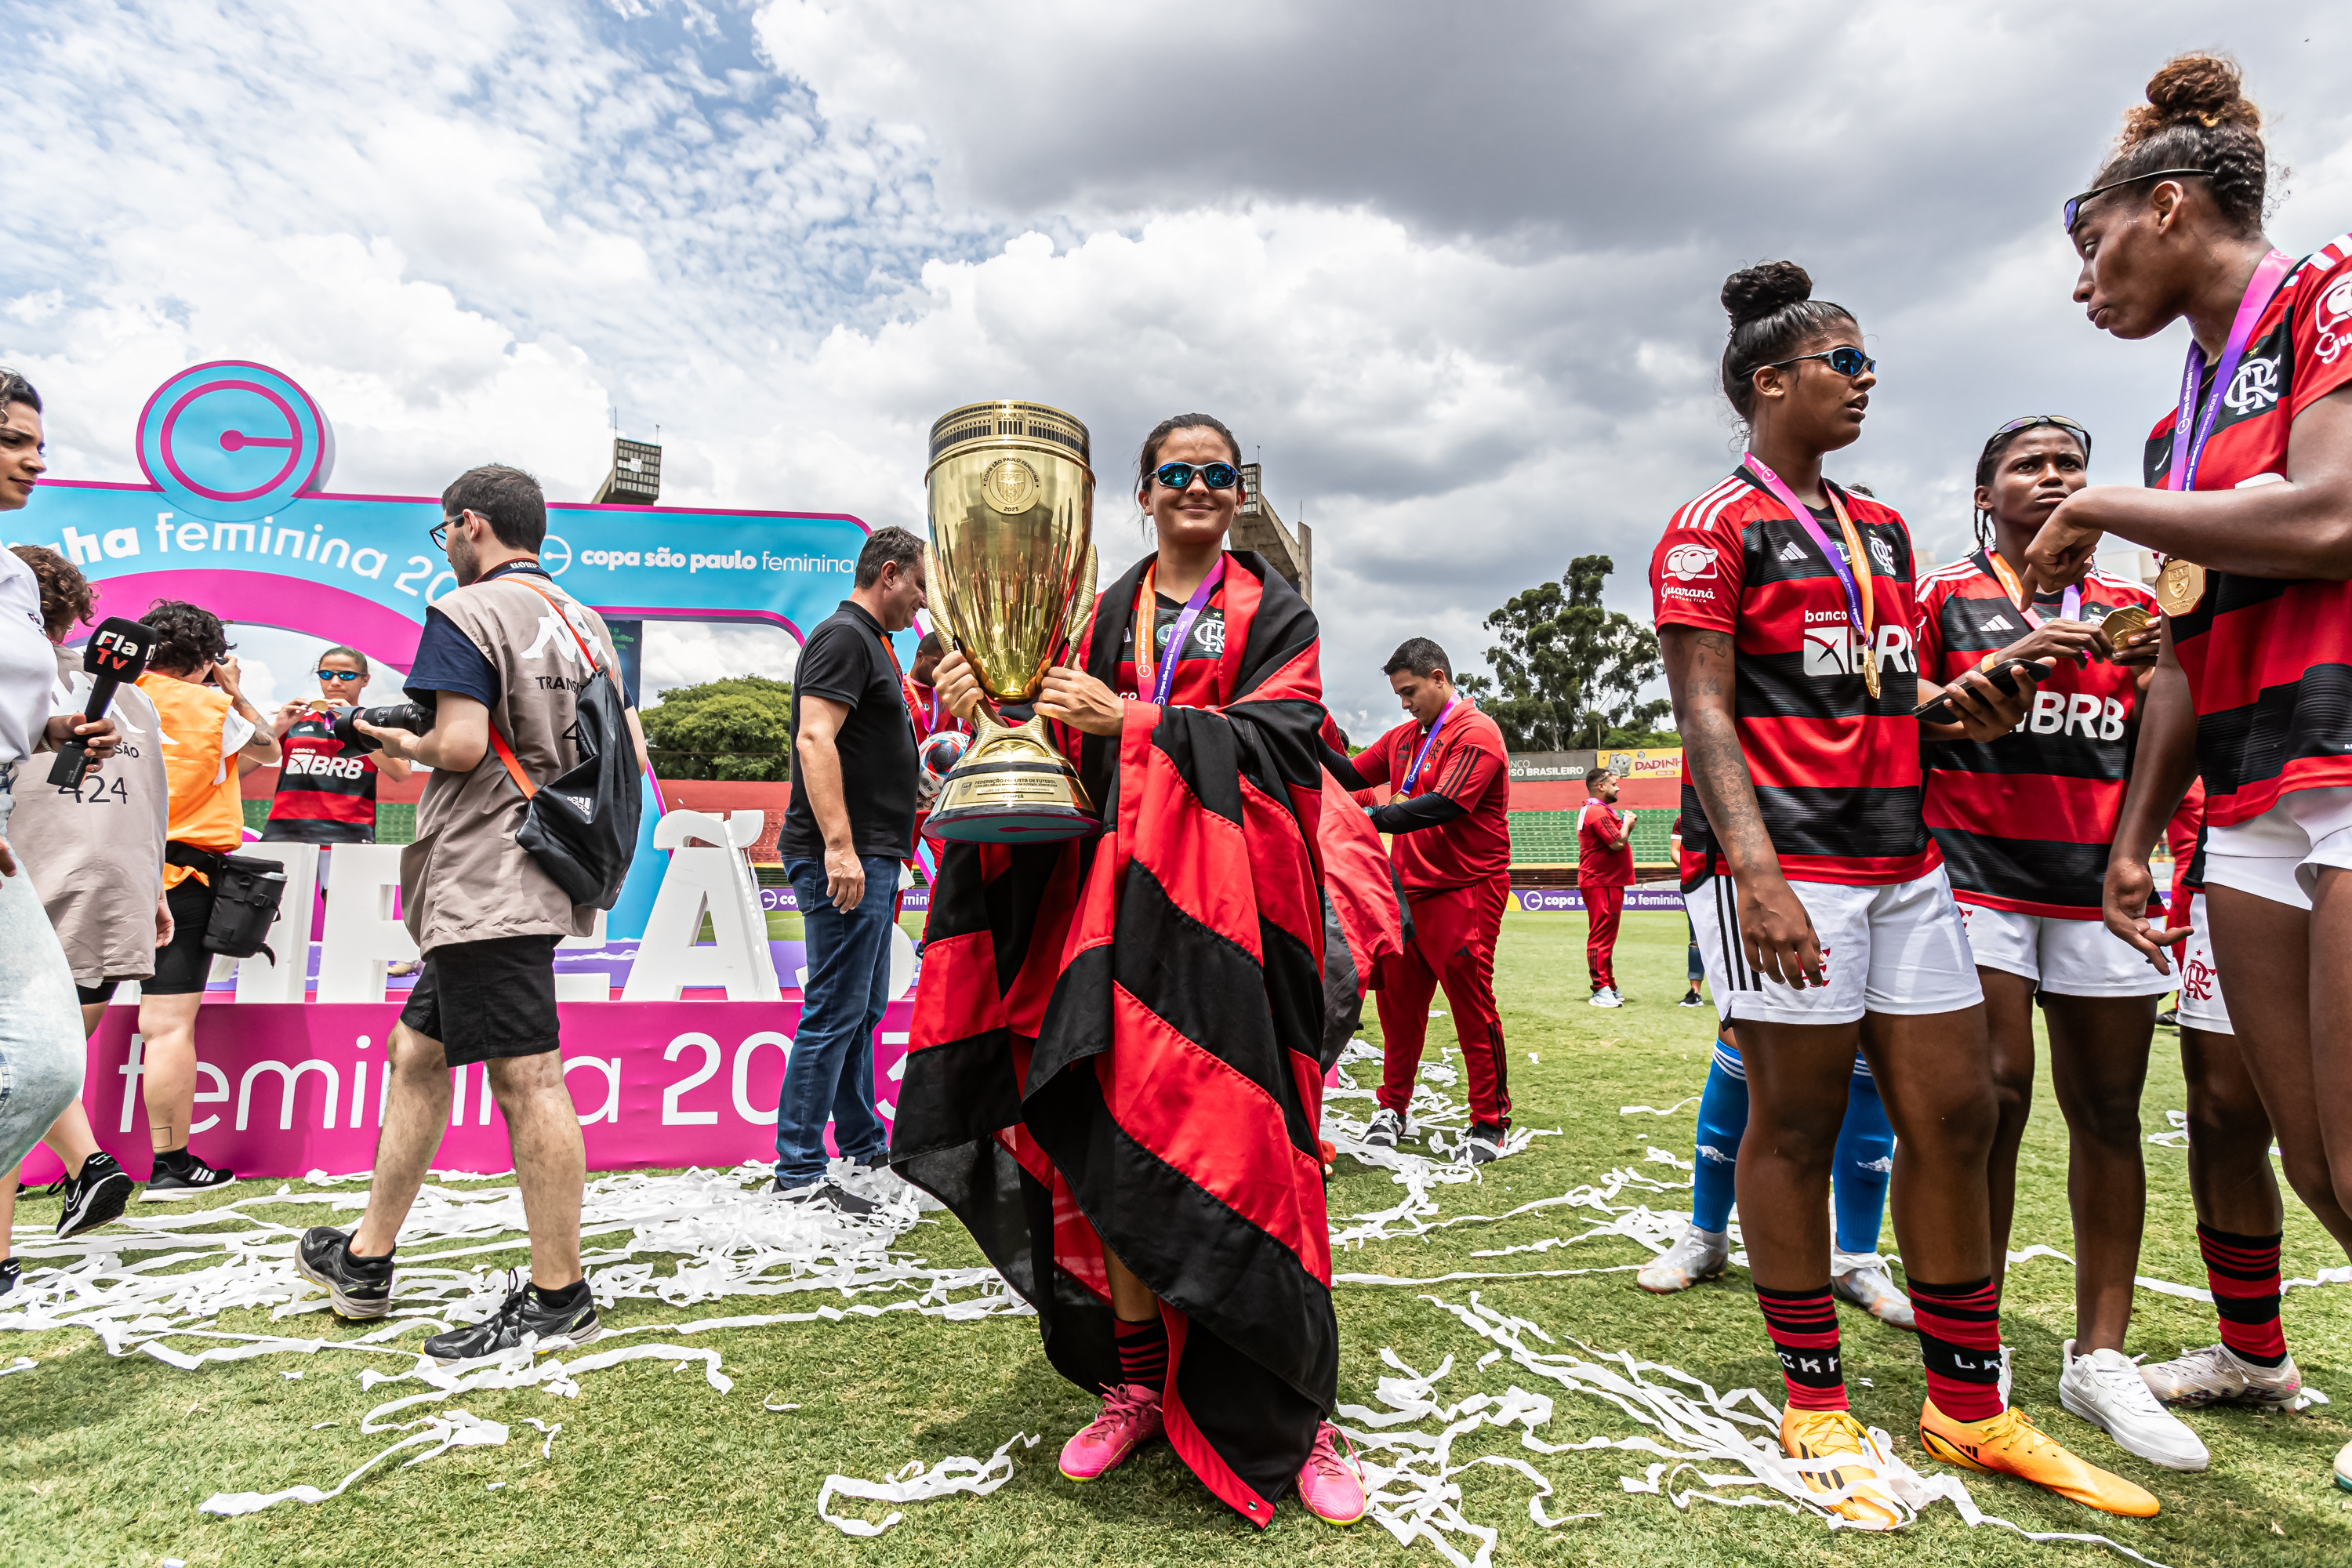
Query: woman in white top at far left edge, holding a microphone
x: 41, y: 1050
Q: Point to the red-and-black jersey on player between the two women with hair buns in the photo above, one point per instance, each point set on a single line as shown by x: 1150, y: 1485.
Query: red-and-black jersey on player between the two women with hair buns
x: 2026, y: 822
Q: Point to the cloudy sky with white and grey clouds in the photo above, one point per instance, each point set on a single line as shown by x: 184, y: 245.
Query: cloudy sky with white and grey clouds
x: 1452, y: 269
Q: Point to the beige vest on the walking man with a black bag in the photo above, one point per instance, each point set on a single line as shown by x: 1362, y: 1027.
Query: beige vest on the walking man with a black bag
x: 465, y: 880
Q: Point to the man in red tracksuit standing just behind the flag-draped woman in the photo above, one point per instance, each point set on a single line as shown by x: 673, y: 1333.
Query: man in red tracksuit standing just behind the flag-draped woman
x: 1450, y: 817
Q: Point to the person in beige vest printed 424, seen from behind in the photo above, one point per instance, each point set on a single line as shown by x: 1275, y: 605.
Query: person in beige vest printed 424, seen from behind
x: 95, y: 857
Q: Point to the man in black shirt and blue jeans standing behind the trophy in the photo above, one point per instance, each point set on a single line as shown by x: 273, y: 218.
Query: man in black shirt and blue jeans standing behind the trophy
x: 850, y: 824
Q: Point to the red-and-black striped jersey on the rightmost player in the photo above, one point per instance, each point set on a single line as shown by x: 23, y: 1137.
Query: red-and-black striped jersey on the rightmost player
x: 2271, y: 659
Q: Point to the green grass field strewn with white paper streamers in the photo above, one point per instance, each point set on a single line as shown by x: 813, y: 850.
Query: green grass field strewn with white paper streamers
x: 107, y: 1459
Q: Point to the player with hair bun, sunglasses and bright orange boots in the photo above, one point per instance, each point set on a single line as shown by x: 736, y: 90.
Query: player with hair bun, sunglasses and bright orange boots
x: 1822, y: 906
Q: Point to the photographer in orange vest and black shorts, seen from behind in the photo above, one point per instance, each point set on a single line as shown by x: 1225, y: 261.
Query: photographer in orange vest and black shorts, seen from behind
x: 211, y: 735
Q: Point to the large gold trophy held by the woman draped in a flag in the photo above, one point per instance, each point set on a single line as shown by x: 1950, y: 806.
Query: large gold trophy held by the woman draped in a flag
x: 1010, y: 584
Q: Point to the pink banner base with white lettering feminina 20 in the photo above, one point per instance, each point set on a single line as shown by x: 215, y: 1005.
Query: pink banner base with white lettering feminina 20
x: 286, y: 1090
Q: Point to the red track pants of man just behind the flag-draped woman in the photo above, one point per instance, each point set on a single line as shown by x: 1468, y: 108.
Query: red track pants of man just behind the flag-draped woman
x: 1452, y: 946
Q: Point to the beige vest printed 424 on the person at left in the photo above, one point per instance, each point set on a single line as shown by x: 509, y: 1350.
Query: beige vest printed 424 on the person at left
x: 98, y: 852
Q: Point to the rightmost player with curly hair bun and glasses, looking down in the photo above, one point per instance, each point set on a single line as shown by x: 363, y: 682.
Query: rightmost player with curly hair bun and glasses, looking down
x: 2250, y: 504
